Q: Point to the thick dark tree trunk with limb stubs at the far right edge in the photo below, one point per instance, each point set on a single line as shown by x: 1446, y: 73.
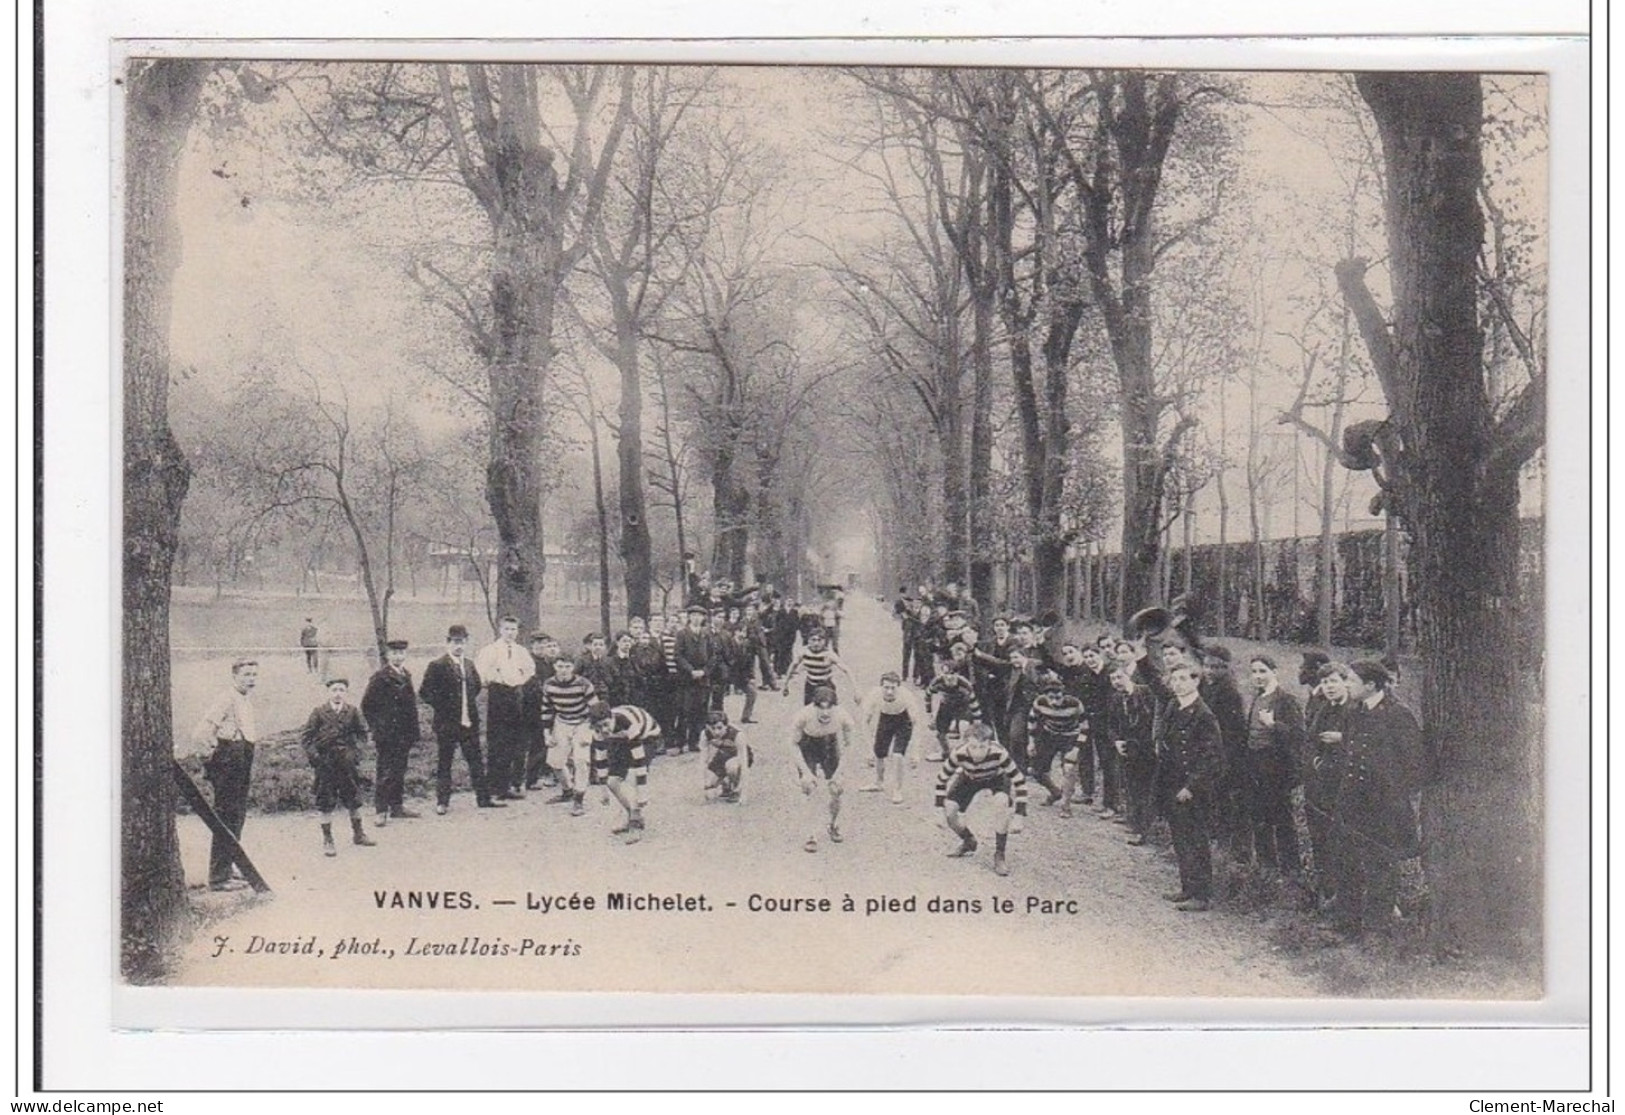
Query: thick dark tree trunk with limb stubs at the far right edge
x: 1455, y: 475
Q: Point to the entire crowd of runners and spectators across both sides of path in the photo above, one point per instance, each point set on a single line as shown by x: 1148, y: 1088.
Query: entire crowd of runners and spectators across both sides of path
x: 1143, y: 731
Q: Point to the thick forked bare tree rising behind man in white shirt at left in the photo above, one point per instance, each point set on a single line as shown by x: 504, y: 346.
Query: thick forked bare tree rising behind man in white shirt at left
x: 498, y: 131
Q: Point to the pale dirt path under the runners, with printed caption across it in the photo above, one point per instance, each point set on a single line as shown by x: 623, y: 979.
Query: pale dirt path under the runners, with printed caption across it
x: 1085, y: 909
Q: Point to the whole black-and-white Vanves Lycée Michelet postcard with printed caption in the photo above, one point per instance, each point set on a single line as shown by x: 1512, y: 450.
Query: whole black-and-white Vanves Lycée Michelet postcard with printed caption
x: 849, y: 529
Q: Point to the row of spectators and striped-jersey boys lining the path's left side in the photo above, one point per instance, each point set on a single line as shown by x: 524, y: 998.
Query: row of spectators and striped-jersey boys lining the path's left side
x: 535, y: 726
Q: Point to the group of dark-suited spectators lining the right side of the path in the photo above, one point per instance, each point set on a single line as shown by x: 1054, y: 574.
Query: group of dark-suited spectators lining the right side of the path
x: 1159, y: 731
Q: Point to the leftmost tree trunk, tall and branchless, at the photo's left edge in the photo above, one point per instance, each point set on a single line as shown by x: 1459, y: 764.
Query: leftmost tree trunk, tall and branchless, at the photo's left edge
x: 154, y: 905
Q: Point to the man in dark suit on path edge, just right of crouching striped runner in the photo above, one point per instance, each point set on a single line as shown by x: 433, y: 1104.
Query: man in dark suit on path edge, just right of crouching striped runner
x: 1189, y: 763
